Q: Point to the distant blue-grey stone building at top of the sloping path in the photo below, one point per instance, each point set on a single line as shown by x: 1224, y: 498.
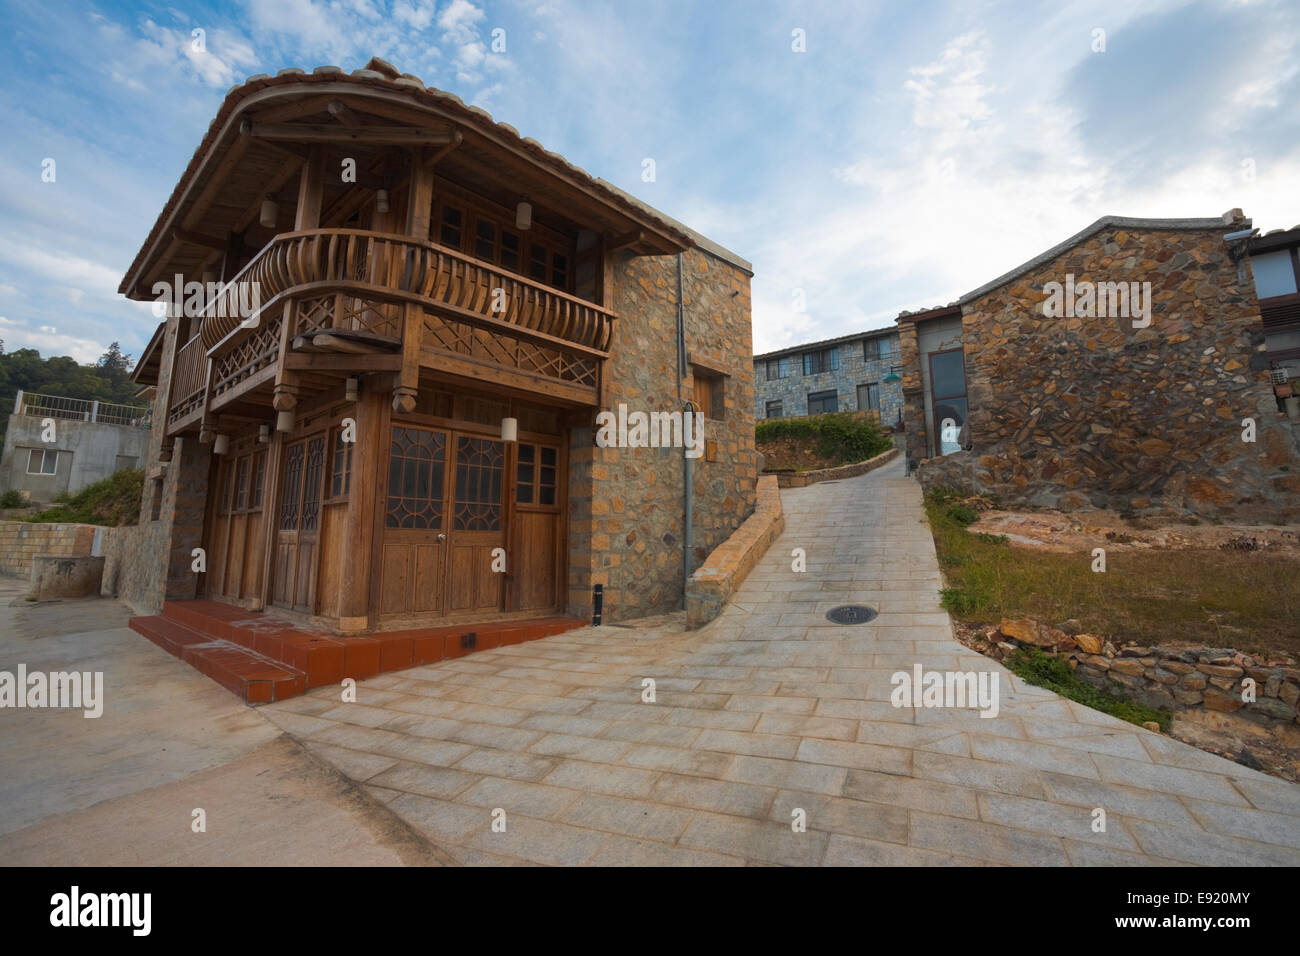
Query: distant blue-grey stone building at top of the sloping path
x: 857, y: 373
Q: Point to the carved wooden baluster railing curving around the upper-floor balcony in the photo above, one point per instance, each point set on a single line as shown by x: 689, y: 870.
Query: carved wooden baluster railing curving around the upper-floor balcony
x: 375, y: 274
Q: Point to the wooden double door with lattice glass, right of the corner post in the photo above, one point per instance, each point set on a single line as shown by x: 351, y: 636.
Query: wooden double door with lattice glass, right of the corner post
x: 445, y: 524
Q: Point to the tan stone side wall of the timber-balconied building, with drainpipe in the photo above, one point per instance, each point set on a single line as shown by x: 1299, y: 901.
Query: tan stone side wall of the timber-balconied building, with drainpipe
x: 627, y: 518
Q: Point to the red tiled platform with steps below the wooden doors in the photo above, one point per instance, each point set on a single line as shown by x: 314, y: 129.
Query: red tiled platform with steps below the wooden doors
x: 263, y: 659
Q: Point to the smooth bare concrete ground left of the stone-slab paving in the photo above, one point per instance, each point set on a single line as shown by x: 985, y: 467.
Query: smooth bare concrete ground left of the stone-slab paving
x: 120, y: 789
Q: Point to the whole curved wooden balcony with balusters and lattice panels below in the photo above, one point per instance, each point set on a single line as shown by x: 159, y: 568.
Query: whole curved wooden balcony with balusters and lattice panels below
x: 331, y: 302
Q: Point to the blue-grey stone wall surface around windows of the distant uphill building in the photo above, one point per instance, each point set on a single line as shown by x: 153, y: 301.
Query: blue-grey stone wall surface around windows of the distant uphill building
x: 855, y: 370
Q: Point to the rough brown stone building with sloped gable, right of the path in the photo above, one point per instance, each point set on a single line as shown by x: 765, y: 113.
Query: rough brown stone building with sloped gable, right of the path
x: 1125, y: 369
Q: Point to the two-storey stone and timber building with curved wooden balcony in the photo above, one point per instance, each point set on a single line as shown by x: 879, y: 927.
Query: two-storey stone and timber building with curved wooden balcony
x: 383, y: 412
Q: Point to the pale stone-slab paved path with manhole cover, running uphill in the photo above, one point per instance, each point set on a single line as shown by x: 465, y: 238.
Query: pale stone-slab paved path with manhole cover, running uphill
x: 773, y: 710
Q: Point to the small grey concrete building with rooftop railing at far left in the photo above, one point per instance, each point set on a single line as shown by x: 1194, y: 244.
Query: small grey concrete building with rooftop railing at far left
x: 90, y: 442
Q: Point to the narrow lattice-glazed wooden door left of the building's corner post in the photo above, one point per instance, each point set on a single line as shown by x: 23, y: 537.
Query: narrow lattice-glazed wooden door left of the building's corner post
x: 298, y: 530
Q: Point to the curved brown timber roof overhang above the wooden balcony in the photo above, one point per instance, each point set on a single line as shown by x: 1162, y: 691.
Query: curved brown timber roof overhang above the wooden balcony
x: 235, y: 170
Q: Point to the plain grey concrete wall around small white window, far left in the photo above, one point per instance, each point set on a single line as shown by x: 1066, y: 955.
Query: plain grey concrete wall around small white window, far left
x: 88, y: 453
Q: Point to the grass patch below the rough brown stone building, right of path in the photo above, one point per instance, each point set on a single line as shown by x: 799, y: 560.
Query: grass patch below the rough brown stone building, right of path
x: 1246, y: 600
